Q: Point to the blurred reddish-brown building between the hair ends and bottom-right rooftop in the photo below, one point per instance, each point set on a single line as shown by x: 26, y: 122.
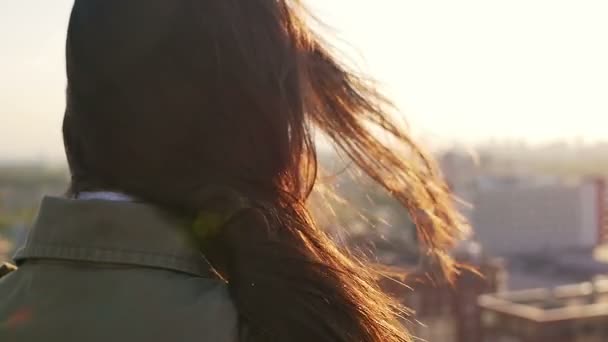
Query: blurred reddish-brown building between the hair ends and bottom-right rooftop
x: 445, y: 312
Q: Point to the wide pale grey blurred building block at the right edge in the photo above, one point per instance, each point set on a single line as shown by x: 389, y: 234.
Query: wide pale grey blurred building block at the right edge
x: 534, y: 217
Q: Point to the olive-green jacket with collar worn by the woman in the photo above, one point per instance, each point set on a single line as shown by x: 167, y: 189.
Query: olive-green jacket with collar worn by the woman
x: 95, y: 270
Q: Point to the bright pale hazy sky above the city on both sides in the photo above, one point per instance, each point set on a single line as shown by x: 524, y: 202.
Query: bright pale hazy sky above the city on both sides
x: 460, y: 71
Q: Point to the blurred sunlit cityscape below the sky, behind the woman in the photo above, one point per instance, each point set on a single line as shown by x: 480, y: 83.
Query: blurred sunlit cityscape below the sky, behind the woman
x: 540, y: 219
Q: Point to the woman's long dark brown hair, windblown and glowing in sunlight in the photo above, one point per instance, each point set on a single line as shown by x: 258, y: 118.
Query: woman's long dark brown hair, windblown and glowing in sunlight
x: 209, y: 106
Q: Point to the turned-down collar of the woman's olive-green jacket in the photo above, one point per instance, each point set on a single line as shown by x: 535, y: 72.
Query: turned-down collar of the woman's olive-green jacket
x: 100, y: 231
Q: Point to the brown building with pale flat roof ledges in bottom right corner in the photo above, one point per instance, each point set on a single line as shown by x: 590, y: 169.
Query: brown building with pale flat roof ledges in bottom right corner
x: 573, y: 313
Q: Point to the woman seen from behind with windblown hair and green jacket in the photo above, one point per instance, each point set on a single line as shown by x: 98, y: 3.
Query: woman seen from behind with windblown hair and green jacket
x: 189, y: 135
